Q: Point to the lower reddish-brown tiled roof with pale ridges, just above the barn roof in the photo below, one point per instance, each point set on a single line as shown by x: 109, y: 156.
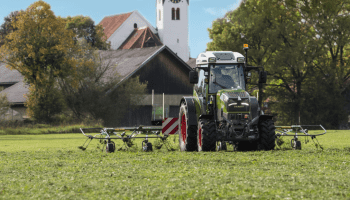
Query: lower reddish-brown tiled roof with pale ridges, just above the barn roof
x: 140, y: 38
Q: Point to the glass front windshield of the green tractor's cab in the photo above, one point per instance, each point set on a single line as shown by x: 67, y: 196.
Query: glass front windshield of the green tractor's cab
x: 226, y: 77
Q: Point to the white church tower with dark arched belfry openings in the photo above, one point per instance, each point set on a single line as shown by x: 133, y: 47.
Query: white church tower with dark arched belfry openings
x: 172, y: 24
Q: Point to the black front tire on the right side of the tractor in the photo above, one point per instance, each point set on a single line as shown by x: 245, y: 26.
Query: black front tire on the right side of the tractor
x: 267, y: 135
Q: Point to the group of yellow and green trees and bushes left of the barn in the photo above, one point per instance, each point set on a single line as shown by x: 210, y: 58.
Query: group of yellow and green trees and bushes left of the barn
x: 61, y: 61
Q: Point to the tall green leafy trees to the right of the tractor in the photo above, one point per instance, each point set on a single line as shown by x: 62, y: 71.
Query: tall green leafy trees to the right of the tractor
x: 304, y: 46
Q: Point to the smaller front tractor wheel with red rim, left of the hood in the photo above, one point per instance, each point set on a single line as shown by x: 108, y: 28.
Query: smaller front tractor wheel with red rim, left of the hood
x: 206, y: 136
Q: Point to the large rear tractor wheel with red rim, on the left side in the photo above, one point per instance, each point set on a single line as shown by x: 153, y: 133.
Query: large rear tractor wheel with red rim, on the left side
x: 187, y: 134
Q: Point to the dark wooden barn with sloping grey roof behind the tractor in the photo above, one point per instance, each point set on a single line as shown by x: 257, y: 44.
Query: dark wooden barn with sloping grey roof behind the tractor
x: 165, y: 73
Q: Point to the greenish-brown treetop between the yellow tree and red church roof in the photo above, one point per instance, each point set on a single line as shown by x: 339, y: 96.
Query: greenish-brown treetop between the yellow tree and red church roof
x: 84, y: 27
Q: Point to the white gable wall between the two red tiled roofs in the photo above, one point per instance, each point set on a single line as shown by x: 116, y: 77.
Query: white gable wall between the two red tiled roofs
x: 124, y: 31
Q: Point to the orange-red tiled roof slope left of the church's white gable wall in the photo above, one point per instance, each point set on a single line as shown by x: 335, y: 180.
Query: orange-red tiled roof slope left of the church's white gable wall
x: 112, y: 23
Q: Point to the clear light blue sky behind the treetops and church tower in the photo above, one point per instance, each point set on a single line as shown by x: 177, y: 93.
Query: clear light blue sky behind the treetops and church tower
x: 201, y: 13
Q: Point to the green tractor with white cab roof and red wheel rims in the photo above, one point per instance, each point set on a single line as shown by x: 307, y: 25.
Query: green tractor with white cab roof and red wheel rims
x: 221, y: 111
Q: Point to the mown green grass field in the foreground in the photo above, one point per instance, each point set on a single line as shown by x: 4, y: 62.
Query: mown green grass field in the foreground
x: 52, y: 167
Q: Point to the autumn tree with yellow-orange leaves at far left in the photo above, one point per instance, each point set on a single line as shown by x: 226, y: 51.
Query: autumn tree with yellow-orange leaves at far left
x: 42, y: 50
